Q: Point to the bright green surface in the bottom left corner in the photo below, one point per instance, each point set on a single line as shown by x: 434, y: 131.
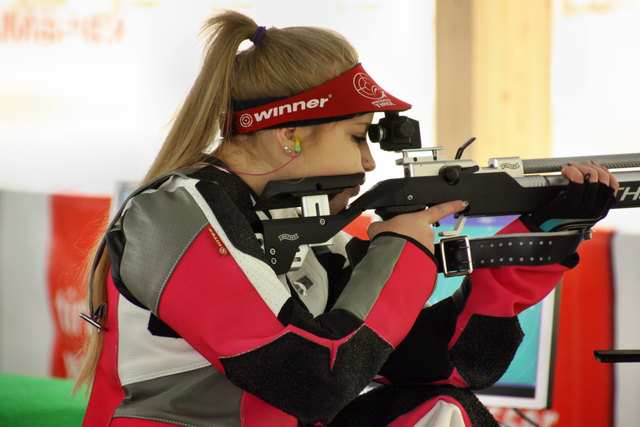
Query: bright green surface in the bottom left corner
x: 42, y: 402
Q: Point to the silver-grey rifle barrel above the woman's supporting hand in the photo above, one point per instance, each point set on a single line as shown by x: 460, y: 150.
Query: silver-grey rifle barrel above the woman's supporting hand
x: 554, y: 164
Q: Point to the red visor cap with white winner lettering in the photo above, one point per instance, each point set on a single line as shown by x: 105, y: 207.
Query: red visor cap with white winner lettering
x: 351, y: 93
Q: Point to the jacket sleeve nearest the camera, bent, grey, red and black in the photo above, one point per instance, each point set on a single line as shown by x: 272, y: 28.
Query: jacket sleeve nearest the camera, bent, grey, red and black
x: 190, y: 257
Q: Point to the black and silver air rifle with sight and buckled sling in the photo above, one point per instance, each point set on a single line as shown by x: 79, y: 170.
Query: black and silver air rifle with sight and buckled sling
x: 507, y: 186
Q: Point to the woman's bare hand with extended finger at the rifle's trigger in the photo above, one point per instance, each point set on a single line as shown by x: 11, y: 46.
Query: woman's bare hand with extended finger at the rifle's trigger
x: 417, y: 225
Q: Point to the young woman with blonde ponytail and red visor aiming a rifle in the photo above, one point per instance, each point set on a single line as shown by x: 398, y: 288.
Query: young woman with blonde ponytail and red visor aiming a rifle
x: 196, y: 328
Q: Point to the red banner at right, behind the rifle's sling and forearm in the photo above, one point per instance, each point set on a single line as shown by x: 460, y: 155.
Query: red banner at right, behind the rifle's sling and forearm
x: 583, y: 387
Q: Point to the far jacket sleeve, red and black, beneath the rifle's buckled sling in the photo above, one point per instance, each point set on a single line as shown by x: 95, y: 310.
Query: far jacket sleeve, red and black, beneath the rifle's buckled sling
x: 470, y: 338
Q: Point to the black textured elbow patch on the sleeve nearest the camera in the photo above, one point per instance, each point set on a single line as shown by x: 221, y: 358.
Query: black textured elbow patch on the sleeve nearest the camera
x: 295, y: 374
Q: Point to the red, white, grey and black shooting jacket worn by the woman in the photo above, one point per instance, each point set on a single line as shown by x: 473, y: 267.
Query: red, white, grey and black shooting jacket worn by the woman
x: 201, y: 331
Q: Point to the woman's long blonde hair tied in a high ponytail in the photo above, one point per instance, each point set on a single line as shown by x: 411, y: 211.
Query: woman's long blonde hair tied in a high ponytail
x: 284, y: 62
